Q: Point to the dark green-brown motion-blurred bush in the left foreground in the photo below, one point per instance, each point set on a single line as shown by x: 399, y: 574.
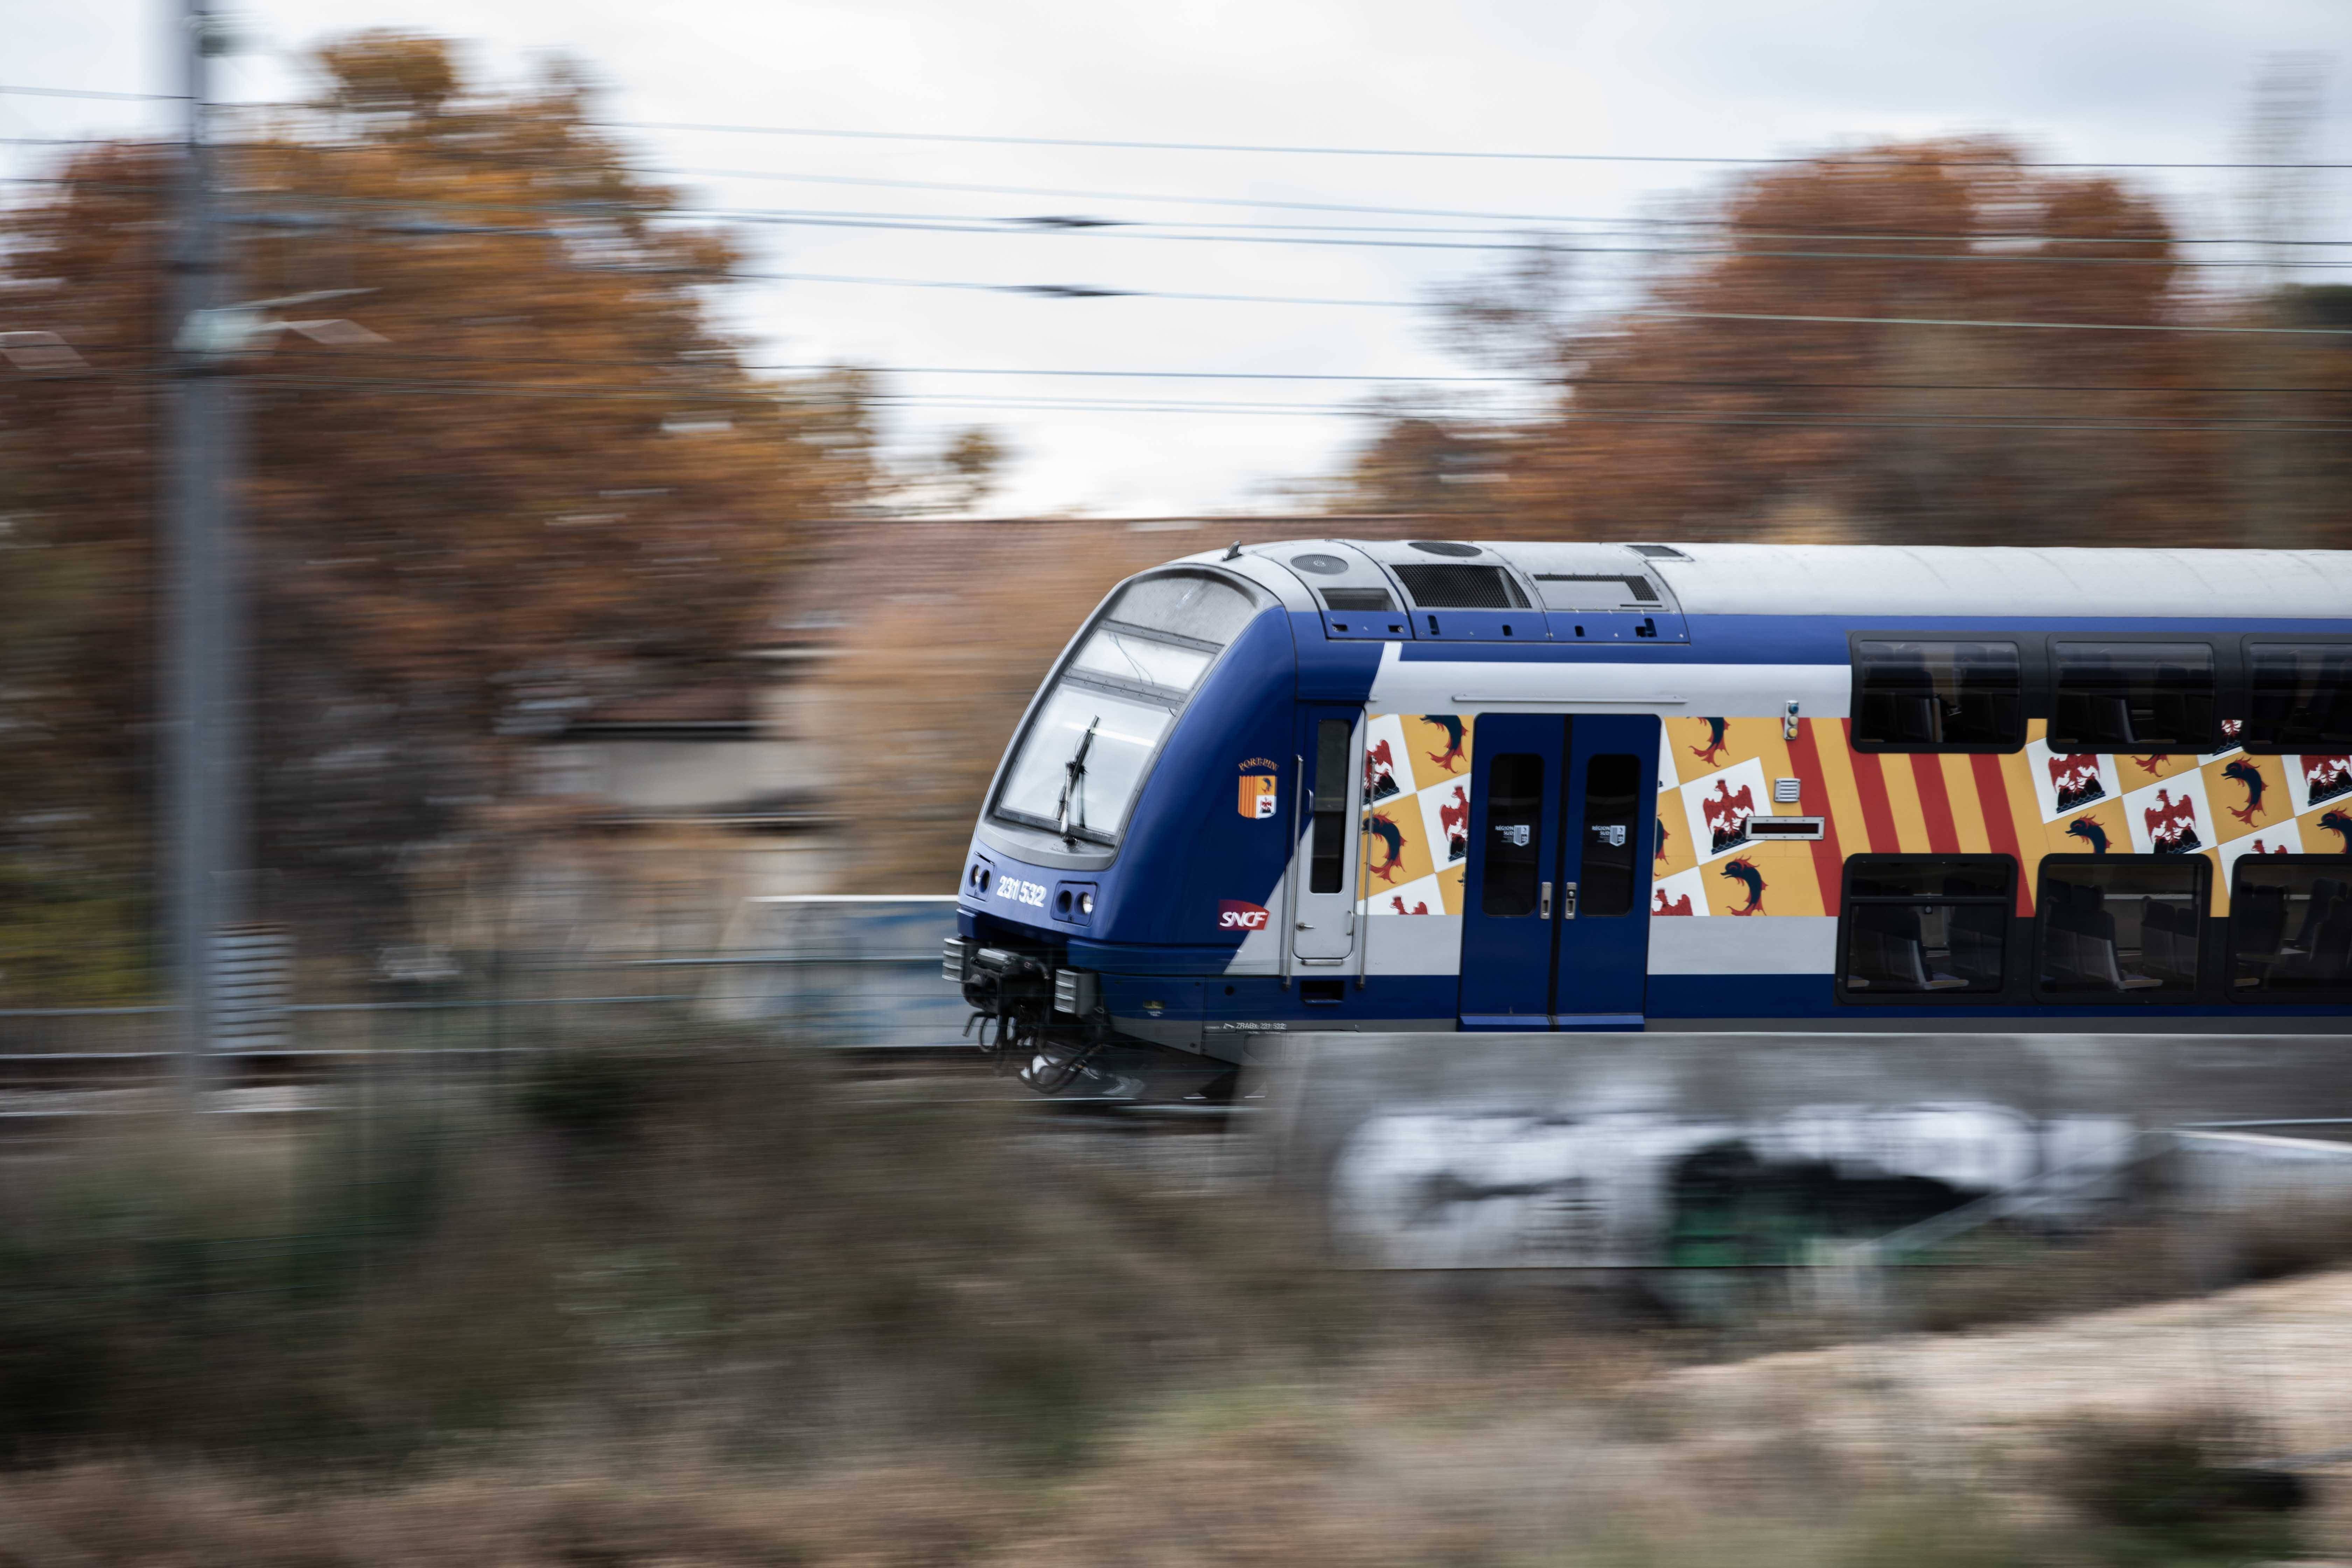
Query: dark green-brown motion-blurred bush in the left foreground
x: 704, y: 1238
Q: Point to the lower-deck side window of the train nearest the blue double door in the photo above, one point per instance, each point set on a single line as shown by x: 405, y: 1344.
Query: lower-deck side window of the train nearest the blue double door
x: 1927, y: 925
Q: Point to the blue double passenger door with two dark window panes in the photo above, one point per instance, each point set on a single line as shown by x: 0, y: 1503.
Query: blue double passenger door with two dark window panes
x: 1556, y: 897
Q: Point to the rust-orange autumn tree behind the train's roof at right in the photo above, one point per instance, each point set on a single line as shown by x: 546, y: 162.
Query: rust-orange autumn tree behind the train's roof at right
x: 1709, y: 413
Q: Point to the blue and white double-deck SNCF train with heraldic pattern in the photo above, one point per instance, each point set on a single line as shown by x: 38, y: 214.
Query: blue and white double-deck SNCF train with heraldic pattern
x: 1455, y: 786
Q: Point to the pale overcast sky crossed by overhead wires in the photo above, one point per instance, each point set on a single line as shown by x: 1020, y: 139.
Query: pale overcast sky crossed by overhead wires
x: 2097, y: 81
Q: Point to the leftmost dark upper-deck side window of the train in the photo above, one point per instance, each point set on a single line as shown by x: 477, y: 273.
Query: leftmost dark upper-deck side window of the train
x: 1939, y: 697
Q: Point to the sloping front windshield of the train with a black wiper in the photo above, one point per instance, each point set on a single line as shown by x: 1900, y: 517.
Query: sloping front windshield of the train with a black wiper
x: 1095, y: 735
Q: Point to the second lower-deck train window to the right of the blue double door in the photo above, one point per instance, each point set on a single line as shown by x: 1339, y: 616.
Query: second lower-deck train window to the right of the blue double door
x: 2120, y: 927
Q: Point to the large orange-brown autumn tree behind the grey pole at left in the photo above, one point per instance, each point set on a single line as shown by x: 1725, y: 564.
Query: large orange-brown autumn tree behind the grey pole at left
x: 530, y: 476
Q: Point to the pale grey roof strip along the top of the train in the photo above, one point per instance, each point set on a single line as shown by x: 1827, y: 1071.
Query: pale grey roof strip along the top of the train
x: 1732, y: 579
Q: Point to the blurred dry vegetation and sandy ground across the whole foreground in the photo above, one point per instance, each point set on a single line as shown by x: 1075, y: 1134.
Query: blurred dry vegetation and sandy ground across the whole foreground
x: 716, y: 1306
